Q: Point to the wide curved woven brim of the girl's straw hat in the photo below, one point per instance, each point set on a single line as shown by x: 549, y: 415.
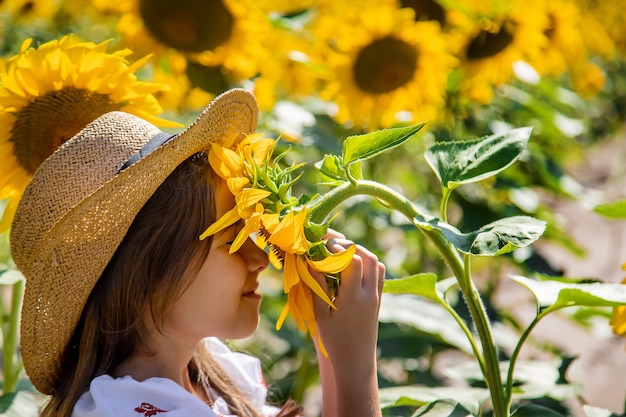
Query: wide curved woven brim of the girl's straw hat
x: 65, y: 263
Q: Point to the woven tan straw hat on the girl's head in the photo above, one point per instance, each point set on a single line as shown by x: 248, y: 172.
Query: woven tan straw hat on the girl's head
x: 80, y: 204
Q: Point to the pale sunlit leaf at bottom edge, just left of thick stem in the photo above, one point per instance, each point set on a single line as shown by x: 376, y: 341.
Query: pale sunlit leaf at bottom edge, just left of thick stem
x: 468, y: 398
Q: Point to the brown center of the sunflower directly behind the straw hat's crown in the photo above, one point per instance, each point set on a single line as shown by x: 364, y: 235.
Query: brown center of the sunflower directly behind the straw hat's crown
x: 49, y: 120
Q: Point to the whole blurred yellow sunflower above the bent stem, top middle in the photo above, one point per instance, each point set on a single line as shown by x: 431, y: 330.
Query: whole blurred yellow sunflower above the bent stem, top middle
x: 387, y: 64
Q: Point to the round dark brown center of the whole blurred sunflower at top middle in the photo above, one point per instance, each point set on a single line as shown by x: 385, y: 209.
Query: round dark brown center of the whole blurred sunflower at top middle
x: 384, y: 65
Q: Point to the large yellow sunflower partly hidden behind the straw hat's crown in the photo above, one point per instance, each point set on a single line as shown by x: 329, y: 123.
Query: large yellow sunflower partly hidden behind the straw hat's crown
x: 50, y: 93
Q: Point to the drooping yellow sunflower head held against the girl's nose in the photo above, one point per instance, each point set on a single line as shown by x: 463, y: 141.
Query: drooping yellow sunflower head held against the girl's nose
x: 263, y: 205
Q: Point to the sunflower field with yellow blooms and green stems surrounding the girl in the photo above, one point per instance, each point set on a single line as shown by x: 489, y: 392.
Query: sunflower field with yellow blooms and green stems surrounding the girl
x: 445, y: 135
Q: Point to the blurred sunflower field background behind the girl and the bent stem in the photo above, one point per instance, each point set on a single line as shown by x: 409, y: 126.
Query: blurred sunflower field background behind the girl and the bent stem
x: 324, y: 70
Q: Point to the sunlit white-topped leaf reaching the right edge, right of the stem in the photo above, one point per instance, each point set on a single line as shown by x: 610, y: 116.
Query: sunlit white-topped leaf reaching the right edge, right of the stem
x: 556, y: 294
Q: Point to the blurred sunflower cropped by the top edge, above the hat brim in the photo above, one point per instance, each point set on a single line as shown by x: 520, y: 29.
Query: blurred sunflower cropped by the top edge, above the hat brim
x: 226, y: 33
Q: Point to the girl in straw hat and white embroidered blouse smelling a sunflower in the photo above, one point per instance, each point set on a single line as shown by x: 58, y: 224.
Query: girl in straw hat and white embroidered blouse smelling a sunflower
x: 124, y: 304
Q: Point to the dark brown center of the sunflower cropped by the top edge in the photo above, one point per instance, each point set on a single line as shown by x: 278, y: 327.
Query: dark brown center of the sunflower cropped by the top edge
x: 188, y: 25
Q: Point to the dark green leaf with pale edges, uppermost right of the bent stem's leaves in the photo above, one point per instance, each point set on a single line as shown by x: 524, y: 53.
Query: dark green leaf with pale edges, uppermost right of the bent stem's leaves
x: 462, y: 162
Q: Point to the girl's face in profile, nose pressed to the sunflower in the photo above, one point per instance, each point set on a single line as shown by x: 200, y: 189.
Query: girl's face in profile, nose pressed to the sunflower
x: 222, y: 300
